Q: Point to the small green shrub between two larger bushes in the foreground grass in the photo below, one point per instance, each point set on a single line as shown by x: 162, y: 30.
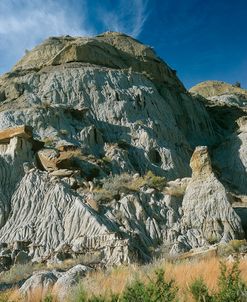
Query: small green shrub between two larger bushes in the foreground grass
x: 200, y: 291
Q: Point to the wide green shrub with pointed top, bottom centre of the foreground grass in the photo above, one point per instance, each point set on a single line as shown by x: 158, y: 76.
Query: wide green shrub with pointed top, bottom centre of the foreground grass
x: 157, y: 290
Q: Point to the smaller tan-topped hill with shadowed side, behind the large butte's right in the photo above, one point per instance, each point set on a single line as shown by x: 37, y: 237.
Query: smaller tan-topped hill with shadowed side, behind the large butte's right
x: 227, y: 104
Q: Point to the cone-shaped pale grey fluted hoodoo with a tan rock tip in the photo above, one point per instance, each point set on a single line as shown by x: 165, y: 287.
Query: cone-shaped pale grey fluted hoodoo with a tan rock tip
x: 207, y: 205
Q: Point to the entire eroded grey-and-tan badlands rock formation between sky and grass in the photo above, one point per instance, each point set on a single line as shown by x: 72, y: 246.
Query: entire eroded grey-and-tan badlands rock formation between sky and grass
x: 105, y: 154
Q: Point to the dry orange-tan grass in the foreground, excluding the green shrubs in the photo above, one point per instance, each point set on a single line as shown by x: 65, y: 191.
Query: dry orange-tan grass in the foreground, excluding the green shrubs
x: 114, y: 280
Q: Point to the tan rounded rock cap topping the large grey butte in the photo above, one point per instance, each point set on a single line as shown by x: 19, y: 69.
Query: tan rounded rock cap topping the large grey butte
x: 114, y: 50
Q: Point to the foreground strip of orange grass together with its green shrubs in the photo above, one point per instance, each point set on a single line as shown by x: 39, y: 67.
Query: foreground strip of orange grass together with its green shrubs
x: 206, y: 280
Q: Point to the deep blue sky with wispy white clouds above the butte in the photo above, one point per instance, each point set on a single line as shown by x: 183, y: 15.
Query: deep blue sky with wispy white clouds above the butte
x: 201, y: 39
